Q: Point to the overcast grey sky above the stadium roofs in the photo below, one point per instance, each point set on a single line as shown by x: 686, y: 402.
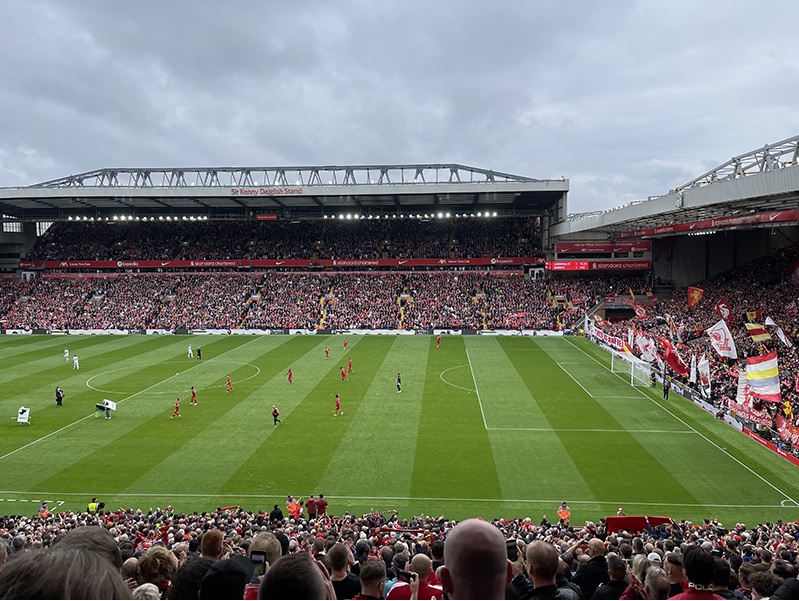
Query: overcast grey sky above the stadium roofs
x: 627, y: 99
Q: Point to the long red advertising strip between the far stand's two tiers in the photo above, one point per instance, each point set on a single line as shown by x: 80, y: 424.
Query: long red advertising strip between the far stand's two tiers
x: 236, y: 263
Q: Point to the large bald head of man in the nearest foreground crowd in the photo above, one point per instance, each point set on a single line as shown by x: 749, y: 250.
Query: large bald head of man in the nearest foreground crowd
x: 475, y: 562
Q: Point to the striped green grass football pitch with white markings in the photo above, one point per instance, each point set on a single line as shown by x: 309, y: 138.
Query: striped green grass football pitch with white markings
x: 484, y: 426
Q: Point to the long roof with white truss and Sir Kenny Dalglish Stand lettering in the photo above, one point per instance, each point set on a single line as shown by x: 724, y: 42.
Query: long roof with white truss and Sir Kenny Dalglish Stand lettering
x: 289, y: 192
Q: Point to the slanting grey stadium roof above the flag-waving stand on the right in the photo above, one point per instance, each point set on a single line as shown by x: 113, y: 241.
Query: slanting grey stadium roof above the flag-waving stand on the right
x: 760, y: 181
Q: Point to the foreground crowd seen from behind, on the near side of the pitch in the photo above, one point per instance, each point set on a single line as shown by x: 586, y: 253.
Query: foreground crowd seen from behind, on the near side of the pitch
x: 162, y: 554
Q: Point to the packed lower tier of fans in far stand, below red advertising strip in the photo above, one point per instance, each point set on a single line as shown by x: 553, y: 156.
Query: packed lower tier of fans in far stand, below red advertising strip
x: 266, y: 300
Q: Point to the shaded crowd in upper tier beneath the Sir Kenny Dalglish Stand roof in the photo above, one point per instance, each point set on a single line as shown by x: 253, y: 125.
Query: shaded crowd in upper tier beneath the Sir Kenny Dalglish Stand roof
x: 308, y: 239
